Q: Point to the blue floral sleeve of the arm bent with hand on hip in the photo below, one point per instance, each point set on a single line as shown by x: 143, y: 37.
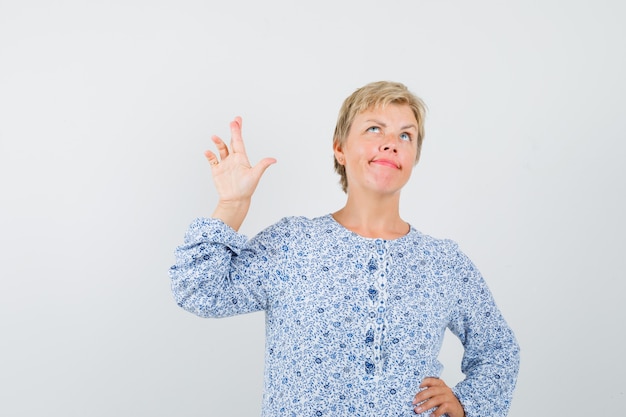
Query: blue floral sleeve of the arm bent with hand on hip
x: 491, y: 352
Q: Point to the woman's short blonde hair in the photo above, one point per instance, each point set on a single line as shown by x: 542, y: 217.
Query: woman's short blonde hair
x: 374, y: 95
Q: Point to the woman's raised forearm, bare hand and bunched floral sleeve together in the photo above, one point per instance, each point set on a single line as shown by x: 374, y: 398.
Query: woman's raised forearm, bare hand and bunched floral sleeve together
x: 212, y: 276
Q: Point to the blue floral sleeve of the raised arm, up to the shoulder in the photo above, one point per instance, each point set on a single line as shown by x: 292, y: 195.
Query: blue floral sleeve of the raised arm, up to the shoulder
x: 219, y: 273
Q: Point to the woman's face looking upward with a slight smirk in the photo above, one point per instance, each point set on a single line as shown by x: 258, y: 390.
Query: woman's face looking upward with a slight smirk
x: 380, y: 150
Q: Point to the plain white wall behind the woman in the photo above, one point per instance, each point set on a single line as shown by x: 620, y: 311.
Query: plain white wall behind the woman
x: 106, y: 108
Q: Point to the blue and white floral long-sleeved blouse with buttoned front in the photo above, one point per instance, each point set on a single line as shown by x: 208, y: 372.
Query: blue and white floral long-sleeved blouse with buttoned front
x: 353, y: 324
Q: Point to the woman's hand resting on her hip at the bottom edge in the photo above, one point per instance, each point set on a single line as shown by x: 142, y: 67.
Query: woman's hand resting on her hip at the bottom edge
x: 435, y: 393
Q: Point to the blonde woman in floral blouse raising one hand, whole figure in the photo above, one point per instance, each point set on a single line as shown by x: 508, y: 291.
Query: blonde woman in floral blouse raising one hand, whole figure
x: 356, y: 302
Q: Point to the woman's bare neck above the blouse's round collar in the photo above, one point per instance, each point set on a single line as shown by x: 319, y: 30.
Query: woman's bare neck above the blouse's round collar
x: 373, y: 217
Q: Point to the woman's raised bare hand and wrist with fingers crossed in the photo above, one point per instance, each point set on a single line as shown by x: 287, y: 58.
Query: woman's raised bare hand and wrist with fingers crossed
x: 235, y: 179
